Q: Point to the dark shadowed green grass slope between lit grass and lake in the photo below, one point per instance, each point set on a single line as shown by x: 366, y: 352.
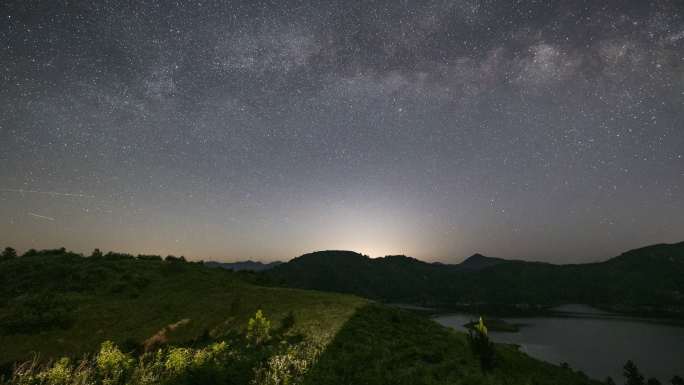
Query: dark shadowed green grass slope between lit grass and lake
x: 382, y: 345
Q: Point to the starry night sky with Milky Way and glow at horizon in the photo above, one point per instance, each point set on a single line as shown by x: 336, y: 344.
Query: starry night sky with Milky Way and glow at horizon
x: 545, y: 130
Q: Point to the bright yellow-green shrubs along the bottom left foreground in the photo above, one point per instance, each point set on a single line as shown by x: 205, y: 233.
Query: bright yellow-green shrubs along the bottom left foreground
x: 215, y: 363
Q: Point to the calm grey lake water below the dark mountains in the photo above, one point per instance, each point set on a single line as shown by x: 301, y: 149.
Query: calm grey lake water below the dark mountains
x: 596, y: 342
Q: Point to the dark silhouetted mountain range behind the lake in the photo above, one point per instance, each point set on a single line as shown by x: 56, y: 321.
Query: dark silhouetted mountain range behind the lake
x: 649, y: 279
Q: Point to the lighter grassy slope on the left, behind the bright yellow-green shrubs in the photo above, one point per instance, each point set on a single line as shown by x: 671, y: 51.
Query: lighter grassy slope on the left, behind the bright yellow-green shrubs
x: 103, y: 302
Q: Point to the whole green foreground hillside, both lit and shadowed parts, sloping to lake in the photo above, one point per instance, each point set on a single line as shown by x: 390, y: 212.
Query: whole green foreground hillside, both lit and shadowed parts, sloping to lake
x: 60, y: 304
